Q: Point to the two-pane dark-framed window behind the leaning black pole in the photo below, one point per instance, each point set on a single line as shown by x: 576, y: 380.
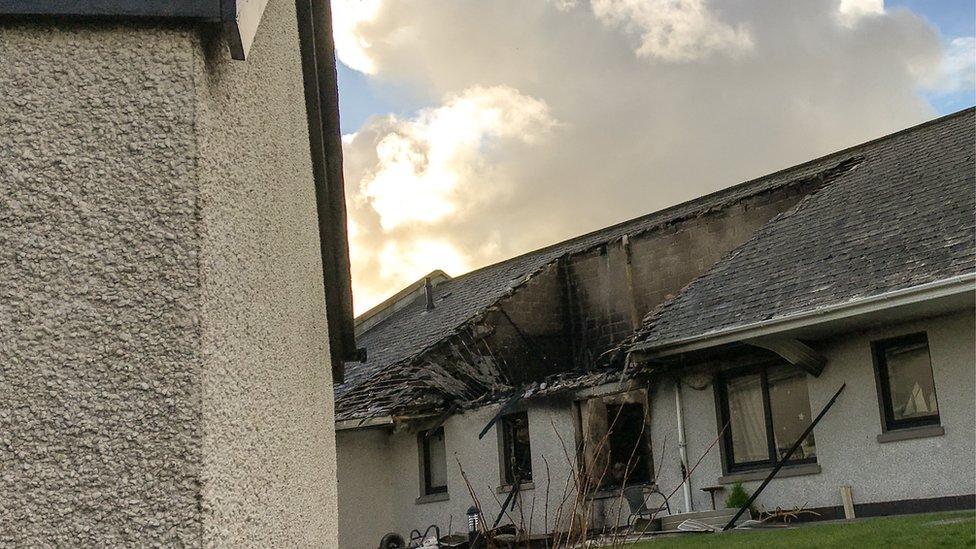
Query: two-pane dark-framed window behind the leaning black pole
x: 767, y: 408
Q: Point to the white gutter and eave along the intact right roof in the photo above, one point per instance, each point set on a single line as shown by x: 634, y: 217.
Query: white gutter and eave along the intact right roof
x: 948, y: 287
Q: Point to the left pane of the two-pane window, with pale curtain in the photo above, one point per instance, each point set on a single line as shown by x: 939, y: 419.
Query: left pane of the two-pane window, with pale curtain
x: 748, y: 419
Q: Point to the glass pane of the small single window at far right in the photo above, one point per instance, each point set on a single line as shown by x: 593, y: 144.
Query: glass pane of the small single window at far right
x: 910, y: 382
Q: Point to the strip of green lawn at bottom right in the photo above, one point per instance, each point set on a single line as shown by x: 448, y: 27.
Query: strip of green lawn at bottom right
x: 957, y: 529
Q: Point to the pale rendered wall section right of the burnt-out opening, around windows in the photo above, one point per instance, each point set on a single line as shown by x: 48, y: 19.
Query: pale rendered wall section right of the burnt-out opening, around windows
x: 847, y: 448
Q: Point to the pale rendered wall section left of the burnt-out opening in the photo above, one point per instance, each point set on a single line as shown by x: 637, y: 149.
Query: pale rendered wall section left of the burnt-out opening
x: 379, y: 476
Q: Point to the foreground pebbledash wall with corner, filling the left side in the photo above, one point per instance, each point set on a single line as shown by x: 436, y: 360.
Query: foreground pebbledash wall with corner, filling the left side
x: 164, y: 370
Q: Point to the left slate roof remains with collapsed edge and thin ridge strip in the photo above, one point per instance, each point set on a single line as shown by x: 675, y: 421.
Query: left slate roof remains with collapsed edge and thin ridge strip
x: 392, y: 374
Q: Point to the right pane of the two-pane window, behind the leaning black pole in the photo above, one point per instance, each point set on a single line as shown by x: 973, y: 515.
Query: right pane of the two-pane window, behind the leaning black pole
x: 789, y: 404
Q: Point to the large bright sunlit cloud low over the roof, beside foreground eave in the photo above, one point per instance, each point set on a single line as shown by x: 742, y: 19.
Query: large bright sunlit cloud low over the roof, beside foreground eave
x: 425, y: 171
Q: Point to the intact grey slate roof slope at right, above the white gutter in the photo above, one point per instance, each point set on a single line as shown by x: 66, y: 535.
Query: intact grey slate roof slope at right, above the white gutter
x: 905, y: 216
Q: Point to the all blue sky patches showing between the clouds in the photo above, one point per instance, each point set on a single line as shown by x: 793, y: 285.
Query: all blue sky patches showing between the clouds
x: 360, y: 97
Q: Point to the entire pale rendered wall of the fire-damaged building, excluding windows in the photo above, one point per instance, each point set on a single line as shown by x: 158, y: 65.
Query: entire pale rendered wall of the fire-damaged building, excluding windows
x: 379, y: 473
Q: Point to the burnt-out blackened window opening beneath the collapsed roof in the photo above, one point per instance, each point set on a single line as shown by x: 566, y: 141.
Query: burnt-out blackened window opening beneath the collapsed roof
x: 616, y: 440
